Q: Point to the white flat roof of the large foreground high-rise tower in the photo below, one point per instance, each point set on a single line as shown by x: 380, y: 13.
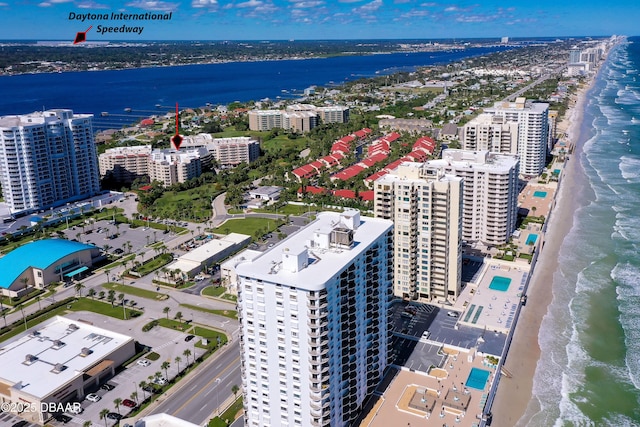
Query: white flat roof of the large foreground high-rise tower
x: 297, y: 262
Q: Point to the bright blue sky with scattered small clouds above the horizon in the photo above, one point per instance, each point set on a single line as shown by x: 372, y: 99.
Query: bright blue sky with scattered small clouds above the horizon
x: 322, y: 19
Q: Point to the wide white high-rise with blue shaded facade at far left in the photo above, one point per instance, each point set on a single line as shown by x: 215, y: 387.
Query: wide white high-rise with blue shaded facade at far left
x: 47, y: 158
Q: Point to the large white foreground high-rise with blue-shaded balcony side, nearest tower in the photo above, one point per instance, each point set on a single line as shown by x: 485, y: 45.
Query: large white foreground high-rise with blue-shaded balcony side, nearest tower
x: 314, y: 323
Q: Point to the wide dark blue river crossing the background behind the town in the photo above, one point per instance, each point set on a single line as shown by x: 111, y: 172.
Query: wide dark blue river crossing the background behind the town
x: 141, y: 90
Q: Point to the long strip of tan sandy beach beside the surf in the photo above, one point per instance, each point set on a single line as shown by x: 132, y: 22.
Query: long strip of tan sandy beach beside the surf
x: 514, y: 394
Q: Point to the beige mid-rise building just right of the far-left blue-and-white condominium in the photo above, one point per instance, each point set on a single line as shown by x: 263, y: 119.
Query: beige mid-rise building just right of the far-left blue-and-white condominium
x: 125, y: 164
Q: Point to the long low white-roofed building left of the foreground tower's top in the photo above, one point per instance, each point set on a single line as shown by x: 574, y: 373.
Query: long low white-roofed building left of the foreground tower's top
x: 210, y: 253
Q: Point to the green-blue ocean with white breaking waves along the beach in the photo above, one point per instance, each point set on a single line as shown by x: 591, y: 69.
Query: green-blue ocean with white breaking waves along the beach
x: 589, y: 370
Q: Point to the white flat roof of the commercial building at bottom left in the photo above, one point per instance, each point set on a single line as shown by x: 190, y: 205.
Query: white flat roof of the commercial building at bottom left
x: 37, y: 377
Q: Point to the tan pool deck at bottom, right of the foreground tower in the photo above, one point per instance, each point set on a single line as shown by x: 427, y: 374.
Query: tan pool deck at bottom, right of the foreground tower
x: 413, y: 395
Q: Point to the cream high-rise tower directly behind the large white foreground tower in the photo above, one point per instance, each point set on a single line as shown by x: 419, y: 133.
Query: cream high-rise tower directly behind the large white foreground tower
x: 425, y: 204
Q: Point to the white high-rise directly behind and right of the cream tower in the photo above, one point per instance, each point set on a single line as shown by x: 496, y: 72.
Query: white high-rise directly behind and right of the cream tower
x: 490, y: 193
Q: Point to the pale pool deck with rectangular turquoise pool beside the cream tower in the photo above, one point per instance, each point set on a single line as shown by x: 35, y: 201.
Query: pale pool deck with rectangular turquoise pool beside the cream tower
x: 488, y: 308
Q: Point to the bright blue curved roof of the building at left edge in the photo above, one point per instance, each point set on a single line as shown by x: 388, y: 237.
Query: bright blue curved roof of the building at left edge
x: 39, y: 254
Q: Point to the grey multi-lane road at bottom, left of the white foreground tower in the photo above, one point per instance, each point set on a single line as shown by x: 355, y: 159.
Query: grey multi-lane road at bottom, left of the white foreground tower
x: 200, y: 397
